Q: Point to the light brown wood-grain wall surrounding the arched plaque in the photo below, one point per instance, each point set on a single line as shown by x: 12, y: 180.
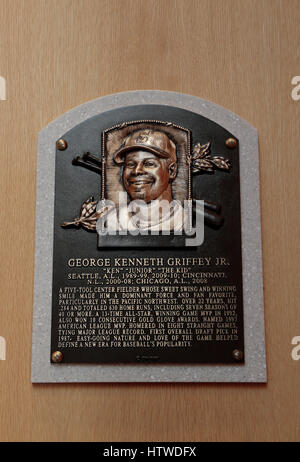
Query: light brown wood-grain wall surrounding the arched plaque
x: 241, y: 54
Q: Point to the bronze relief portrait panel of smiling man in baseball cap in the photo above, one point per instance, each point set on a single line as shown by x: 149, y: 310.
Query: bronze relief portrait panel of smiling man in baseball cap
x: 147, y: 174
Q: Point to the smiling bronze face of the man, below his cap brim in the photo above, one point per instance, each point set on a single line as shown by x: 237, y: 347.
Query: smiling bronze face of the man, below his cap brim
x: 146, y: 176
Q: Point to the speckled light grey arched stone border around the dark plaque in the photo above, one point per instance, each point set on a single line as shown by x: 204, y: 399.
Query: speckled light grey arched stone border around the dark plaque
x: 254, y: 368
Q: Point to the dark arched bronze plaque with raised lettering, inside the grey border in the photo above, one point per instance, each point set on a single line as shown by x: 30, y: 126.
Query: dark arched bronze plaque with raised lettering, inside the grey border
x: 147, y: 240
